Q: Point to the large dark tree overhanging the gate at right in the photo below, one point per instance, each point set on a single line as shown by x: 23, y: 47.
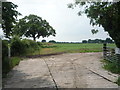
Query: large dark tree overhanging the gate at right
x: 105, y: 14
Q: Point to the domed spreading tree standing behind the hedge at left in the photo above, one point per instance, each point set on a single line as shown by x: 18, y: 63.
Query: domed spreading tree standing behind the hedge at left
x: 33, y: 26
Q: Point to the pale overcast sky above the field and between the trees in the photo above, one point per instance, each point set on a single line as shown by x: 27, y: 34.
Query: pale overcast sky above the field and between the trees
x: 68, y: 25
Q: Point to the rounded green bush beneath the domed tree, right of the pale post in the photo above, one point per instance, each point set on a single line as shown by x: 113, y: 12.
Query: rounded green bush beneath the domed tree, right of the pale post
x: 23, y: 47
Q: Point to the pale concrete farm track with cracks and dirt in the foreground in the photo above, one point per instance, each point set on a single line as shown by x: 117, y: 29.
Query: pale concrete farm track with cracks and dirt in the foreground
x: 71, y: 70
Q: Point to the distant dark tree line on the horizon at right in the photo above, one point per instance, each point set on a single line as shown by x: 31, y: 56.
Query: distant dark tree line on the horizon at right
x: 108, y: 40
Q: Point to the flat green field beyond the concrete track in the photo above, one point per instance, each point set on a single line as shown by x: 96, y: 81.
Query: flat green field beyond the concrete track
x: 71, y: 48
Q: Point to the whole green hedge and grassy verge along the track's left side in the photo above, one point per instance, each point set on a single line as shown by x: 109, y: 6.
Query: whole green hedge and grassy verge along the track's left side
x: 18, y: 48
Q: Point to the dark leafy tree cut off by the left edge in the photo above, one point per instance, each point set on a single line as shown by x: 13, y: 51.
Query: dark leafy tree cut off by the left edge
x: 9, y: 17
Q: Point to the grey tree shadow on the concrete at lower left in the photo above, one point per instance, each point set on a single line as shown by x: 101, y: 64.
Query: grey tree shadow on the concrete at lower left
x: 18, y: 79
